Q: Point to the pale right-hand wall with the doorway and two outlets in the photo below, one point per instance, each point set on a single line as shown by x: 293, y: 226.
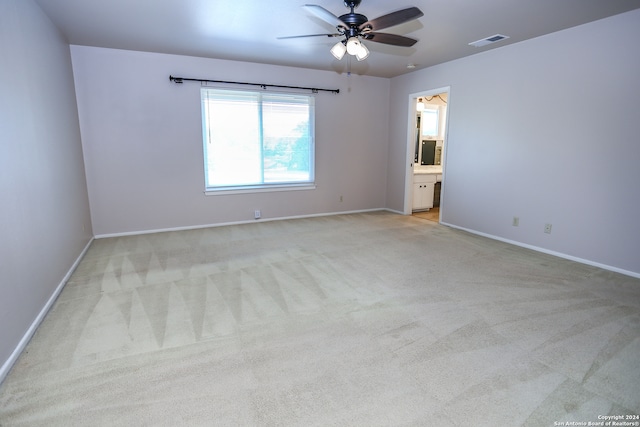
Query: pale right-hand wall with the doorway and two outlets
x: 547, y: 130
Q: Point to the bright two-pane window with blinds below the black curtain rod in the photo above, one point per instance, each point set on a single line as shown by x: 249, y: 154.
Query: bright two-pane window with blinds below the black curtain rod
x: 257, y: 140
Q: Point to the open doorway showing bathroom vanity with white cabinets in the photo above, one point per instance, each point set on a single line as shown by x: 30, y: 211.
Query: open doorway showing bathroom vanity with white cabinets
x: 426, y: 148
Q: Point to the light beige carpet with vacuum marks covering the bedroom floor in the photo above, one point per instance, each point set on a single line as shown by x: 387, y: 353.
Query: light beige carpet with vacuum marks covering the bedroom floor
x: 351, y: 320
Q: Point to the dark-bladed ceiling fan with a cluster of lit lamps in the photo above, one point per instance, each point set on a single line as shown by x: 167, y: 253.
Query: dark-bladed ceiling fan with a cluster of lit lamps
x: 354, y: 26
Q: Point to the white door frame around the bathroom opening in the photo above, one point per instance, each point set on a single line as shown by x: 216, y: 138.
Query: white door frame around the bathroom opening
x: 411, y: 121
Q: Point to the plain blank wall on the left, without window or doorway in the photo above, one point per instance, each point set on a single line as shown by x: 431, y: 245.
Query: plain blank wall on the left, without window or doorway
x: 42, y: 181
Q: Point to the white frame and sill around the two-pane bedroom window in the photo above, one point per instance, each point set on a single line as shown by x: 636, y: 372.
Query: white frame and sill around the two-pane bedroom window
x: 258, y: 187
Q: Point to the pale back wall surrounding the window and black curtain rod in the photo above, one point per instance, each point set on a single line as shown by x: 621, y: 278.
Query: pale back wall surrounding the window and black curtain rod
x: 142, y: 138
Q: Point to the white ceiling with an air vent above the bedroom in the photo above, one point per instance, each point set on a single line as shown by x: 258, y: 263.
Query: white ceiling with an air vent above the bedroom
x: 247, y: 30
